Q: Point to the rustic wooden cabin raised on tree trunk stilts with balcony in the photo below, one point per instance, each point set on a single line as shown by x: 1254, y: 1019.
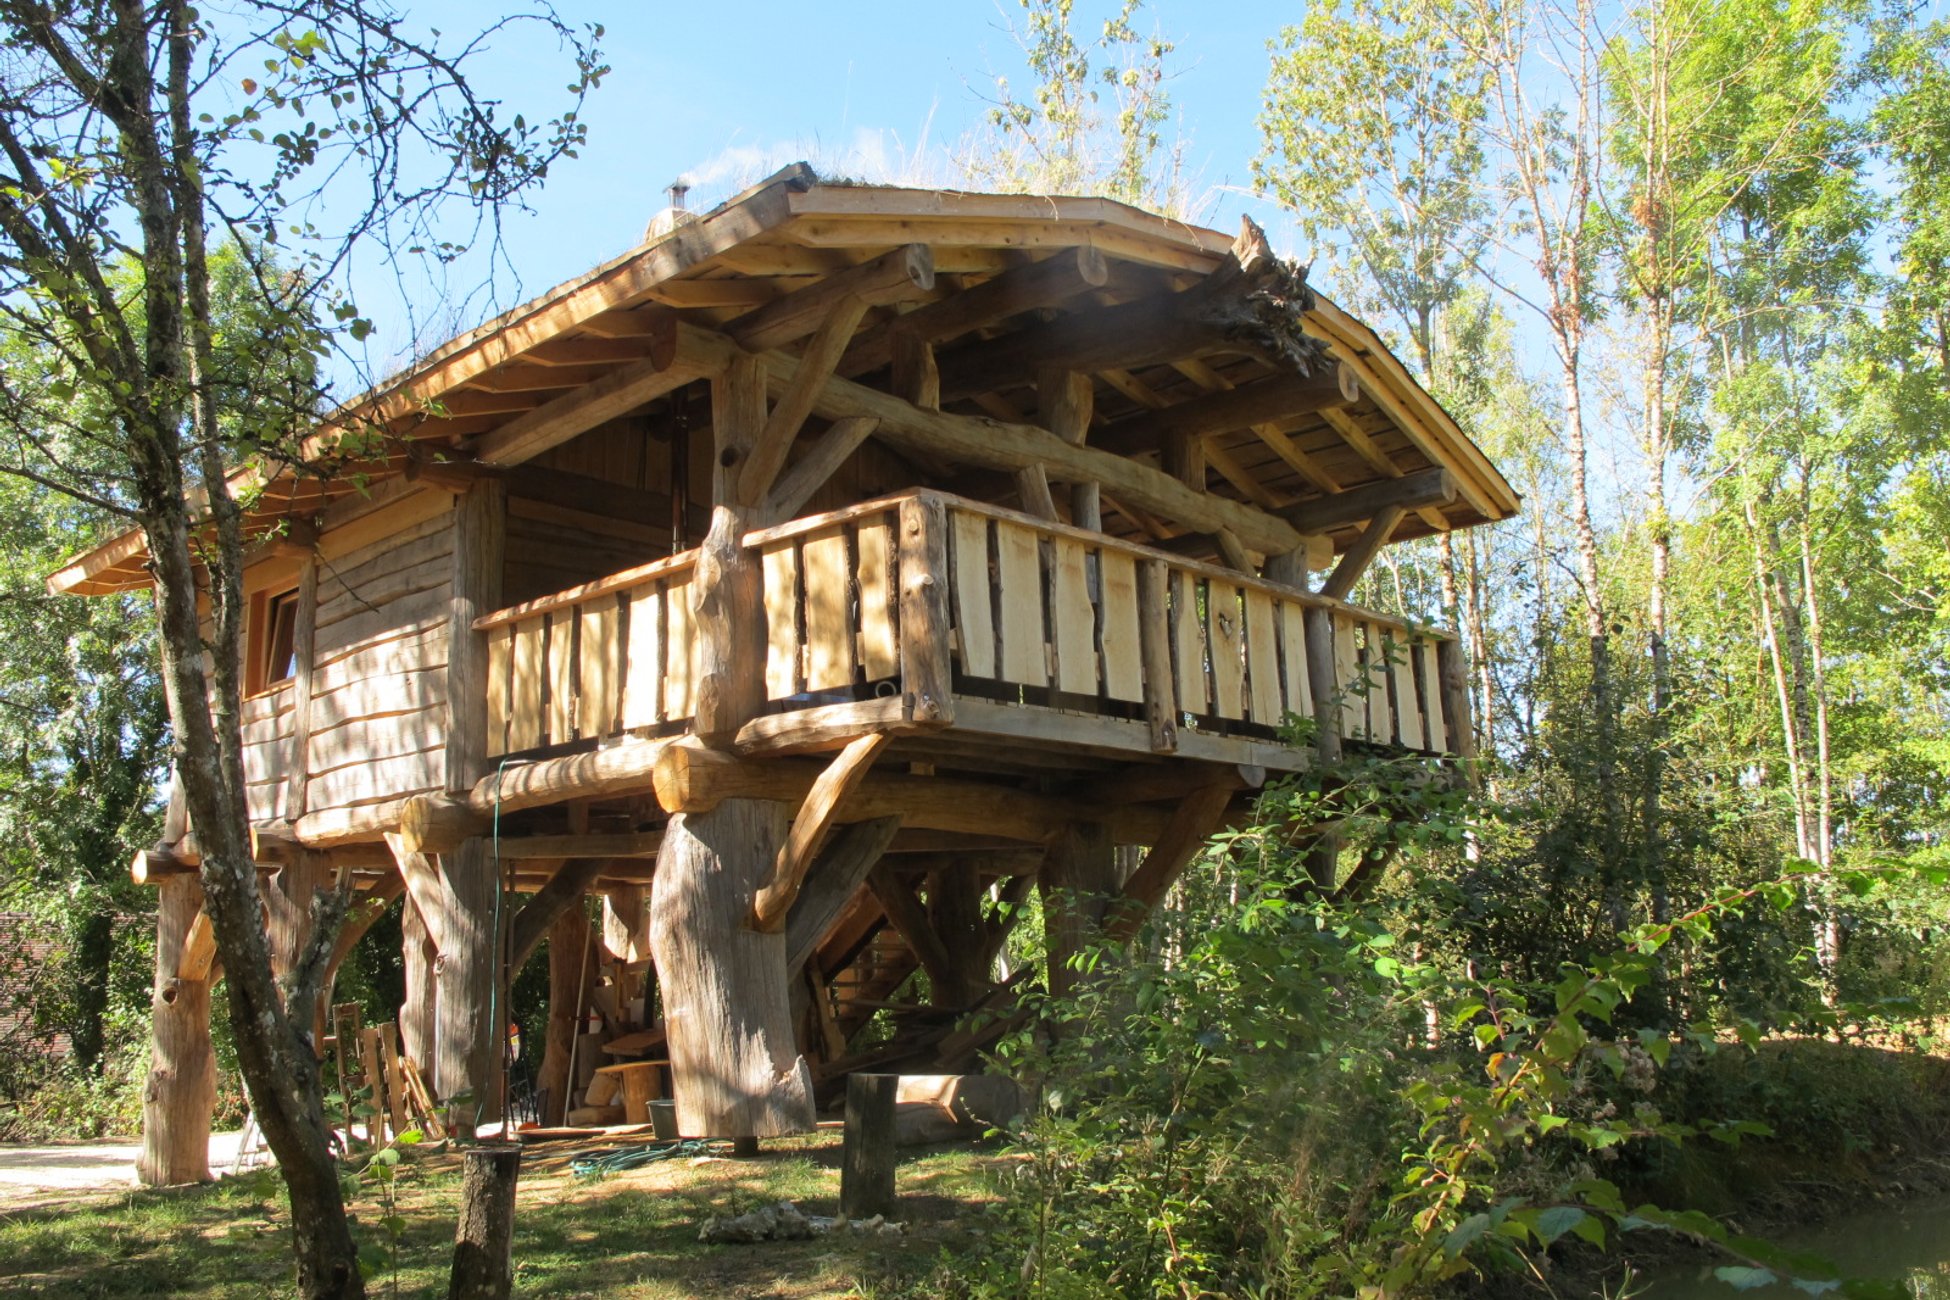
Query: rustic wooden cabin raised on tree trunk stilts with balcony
x: 810, y: 586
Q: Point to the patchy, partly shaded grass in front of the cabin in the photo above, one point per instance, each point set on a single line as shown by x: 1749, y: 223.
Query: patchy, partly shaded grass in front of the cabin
x: 623, y: 1235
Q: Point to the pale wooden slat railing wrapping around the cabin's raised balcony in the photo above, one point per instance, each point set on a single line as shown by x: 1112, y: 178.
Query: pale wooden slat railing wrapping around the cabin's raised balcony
x: 1054, y: 638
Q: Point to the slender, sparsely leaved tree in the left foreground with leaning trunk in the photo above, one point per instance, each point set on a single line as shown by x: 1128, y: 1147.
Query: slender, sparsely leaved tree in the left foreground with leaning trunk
x: 136, y: 135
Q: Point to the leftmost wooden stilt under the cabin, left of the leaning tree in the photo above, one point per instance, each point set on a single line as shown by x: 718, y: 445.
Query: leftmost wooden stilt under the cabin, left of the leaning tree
x: 182, y: 1073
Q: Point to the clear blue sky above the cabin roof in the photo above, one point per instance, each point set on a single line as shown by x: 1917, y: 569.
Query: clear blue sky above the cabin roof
x: 728, y: 93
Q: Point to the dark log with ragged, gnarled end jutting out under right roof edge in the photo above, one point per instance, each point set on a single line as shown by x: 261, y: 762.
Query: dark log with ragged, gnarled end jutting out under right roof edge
x: 1251, y: 305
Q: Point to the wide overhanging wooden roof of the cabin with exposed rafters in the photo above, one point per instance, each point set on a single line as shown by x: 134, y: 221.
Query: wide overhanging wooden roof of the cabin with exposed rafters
x: 592, y: 348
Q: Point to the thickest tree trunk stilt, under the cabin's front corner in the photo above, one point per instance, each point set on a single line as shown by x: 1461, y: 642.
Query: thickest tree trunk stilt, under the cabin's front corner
x: 726, y: 1005
